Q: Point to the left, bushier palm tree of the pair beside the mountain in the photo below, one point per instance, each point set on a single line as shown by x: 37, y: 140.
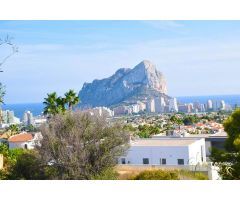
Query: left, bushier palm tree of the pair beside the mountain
x: 53, y: 104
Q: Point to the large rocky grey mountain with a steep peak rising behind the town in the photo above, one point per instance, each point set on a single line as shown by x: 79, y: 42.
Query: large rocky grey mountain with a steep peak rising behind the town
x: 125, y: 86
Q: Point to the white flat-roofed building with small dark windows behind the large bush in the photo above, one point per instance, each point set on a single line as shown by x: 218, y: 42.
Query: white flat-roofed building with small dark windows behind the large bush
x: 167, y: 151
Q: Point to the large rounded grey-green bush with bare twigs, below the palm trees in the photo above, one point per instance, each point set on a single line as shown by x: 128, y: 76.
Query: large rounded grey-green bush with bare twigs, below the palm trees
x: 81, y: 146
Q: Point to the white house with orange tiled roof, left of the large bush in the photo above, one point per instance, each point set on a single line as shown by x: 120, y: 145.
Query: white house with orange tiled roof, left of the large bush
x: 24, y: 140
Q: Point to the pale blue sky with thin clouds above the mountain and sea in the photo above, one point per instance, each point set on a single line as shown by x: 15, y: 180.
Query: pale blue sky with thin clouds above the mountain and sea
x: 197, y: 57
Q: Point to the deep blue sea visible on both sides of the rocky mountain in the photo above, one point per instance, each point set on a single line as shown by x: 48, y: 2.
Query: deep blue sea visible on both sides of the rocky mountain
x: 37, y: 108
